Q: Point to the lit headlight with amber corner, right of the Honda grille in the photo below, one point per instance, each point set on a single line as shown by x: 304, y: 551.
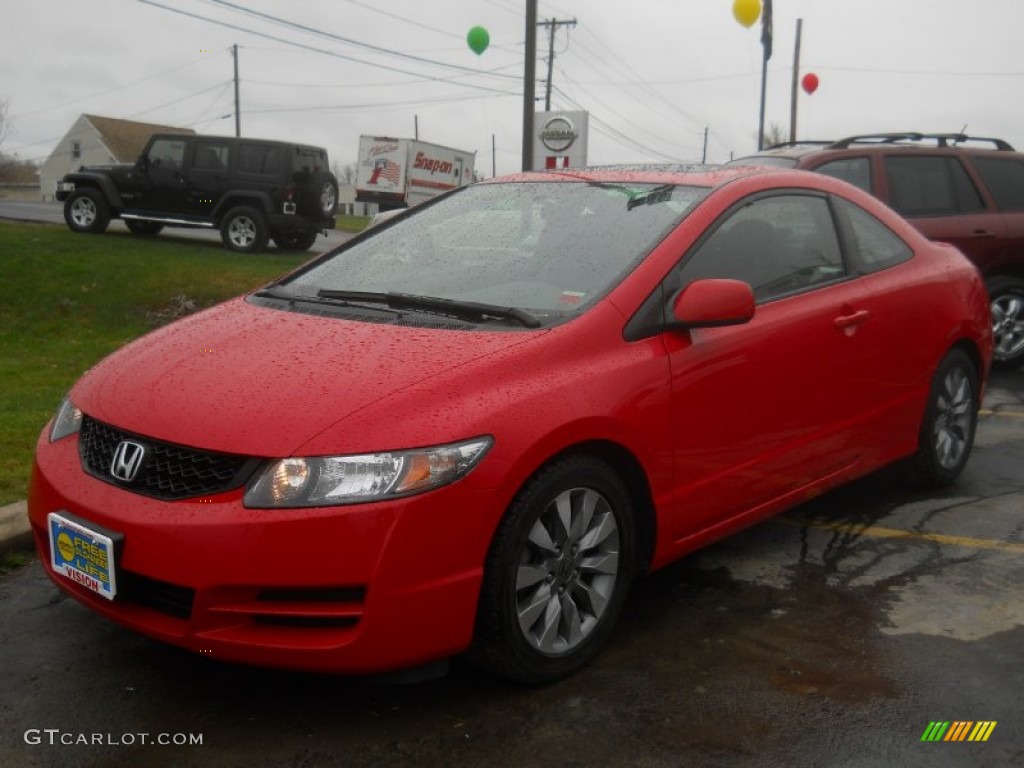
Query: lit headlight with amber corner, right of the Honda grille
x: 329, y: 481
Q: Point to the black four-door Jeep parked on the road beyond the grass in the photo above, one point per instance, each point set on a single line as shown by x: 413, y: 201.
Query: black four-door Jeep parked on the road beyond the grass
x: 251, y: 190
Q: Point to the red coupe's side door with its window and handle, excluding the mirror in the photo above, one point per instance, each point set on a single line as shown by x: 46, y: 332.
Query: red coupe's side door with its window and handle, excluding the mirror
x: 772, y: 408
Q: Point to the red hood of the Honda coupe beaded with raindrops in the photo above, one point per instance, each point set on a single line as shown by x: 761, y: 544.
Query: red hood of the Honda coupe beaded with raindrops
x: 248, y: 380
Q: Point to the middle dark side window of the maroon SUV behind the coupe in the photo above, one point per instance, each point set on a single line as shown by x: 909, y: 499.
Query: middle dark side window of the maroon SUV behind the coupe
x: 923, y: 186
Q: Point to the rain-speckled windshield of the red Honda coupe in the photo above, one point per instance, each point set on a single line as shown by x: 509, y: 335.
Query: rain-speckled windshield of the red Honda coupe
x: 547, y: 248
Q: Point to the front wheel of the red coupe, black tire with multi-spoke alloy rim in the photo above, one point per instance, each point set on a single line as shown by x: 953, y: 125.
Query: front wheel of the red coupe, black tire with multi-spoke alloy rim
x: 551, y: 598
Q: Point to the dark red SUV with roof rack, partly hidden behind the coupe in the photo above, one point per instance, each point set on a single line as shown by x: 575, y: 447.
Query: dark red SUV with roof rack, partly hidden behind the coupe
x: 962, y: 190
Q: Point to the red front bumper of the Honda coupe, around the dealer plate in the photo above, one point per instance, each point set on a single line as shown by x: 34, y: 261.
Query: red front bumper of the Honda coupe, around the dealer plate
x: 361, y: 589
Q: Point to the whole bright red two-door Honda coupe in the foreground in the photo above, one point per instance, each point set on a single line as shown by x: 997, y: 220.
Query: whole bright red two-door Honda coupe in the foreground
x: 472, y: 429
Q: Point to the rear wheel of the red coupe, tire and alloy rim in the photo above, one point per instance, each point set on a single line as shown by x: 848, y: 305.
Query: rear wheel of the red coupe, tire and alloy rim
x: 951, y: 420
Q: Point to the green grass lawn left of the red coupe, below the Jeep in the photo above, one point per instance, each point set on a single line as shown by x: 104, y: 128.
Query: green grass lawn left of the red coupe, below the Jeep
x: 68, y: 301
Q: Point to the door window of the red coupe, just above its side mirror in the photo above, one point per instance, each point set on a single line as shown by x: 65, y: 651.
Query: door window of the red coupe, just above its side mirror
x: 780, y: 245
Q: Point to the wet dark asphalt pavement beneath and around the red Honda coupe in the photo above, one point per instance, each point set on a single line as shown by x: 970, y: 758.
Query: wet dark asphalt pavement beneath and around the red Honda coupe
x: 832, y: 636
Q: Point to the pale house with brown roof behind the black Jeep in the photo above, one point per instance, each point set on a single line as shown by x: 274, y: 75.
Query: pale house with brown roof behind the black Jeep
x: 97, y: 141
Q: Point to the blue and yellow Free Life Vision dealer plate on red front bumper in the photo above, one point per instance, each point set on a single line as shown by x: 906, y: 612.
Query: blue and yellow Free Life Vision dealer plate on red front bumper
x: 83, y: 554
